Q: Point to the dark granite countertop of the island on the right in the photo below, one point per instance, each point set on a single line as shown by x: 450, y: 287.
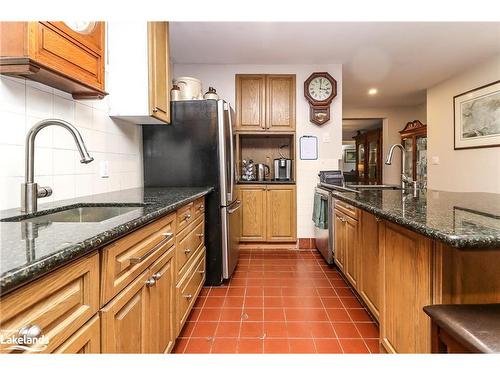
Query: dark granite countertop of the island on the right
x: 461, y: 220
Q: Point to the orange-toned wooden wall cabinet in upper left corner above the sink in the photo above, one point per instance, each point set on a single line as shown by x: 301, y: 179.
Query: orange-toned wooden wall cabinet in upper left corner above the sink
x: 54, y: 54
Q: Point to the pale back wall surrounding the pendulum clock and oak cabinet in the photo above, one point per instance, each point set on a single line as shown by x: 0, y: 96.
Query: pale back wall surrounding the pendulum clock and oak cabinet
x: 221, y: 76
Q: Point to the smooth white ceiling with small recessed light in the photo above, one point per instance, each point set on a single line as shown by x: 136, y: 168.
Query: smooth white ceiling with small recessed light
x: 400, y: 59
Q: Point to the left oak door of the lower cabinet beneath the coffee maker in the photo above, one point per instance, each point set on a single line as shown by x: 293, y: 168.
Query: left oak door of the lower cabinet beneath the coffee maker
x: 253, y: 212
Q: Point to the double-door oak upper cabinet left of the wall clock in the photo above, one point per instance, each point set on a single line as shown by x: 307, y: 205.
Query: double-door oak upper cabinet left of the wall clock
x: 265, y: 102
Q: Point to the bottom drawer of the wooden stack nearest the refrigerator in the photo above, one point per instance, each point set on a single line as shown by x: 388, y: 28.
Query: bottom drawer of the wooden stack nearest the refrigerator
x: 189, y: 288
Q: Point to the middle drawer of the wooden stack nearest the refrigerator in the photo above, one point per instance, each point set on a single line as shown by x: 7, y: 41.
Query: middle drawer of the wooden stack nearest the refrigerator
x: 188, y: 245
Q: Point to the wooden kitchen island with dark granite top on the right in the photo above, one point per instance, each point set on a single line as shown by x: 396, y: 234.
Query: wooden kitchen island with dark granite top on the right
x: 401, y: 252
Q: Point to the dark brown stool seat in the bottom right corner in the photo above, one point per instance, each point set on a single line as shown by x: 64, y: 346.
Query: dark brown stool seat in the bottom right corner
x: 477, y: 327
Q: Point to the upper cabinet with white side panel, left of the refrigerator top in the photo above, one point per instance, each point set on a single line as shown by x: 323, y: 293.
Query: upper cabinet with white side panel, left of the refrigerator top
x: 138, y: 72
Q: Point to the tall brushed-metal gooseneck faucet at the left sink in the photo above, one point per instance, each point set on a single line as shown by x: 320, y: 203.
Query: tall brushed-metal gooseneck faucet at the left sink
x: 30, y: 192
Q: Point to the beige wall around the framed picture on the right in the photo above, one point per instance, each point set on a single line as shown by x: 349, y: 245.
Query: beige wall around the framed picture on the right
x: 460, y: 170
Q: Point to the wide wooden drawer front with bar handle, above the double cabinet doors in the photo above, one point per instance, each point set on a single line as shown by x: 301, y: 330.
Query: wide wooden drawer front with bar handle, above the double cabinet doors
x: 127, y: 258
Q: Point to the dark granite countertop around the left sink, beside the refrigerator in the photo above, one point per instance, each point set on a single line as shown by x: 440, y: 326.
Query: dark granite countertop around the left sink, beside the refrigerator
x: 30, y: 250
